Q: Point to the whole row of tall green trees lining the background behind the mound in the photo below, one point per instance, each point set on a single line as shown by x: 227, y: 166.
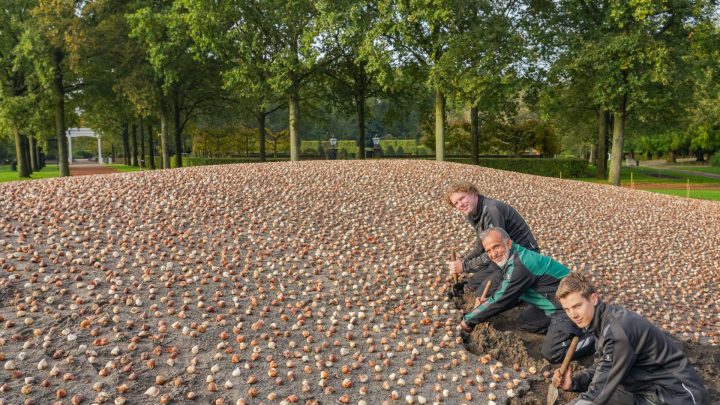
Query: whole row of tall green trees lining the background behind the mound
x: 522, y: 69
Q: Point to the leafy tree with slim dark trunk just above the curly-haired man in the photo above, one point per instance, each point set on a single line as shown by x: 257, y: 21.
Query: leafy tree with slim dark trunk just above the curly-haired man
x: 481, y: 63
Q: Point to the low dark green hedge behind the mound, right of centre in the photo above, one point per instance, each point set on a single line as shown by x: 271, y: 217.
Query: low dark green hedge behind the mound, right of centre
x: 540, y: 167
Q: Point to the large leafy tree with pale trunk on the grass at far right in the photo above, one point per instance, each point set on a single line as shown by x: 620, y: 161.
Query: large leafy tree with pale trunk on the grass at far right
x: 633, y: 49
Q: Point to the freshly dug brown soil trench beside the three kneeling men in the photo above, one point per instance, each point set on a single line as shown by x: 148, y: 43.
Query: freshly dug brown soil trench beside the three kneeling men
x: 502, y: 340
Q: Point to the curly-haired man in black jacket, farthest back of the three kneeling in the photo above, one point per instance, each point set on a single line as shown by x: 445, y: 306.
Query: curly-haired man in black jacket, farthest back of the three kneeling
x: 485, y: 213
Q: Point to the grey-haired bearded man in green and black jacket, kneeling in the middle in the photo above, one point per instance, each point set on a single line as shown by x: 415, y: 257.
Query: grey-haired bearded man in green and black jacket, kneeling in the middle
x: 532, y: 278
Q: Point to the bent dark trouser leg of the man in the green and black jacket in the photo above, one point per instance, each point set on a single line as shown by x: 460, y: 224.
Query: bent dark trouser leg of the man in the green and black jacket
x: 559, y: 334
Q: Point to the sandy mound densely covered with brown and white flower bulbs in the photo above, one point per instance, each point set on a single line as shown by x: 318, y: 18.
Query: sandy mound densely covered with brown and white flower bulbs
x: 311, y: 282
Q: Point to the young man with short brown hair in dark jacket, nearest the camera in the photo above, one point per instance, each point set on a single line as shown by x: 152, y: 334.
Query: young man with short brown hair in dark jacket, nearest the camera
x: 635, y: 362
